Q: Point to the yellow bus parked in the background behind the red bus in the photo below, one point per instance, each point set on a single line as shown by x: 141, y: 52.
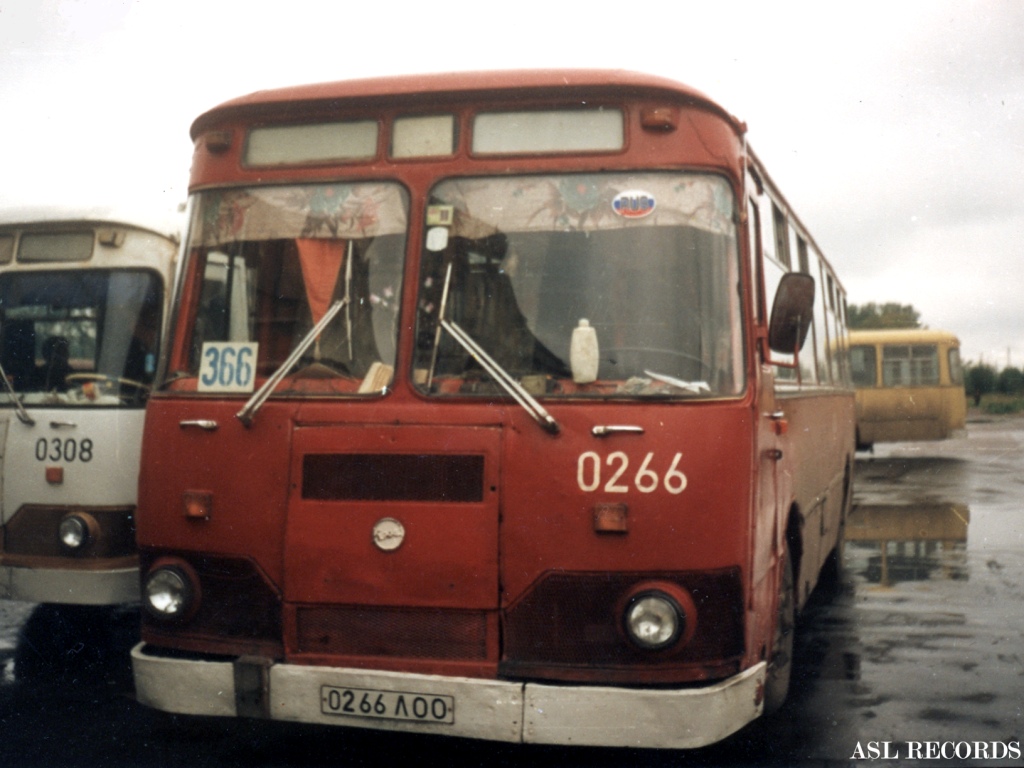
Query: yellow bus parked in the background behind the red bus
x: 910, y: 386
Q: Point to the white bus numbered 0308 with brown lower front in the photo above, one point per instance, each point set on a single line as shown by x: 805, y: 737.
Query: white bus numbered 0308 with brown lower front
x: 83, y: 300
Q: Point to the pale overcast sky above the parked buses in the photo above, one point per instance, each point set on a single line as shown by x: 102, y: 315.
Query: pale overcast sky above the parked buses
x: 895, y: 129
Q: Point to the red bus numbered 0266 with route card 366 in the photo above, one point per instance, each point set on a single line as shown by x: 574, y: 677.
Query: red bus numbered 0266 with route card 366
x: 476, y: 420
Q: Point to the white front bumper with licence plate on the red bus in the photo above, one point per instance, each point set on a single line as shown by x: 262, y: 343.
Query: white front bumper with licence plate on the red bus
x: 480, y: 709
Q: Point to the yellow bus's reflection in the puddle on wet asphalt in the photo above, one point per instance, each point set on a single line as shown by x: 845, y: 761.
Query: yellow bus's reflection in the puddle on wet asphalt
x: 914, y: 542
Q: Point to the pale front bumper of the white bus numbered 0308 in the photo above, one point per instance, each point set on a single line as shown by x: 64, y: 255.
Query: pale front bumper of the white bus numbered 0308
x: 66, y: 586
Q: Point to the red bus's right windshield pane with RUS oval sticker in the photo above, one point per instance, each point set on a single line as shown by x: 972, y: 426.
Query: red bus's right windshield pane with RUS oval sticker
x: 649, y: 262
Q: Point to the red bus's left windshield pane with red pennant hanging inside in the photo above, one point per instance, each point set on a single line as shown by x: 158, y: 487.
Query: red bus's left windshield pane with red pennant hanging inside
x: 267, y: 265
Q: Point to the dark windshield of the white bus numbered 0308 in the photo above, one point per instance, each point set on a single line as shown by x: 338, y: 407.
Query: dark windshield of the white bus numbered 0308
x: 79, y: 337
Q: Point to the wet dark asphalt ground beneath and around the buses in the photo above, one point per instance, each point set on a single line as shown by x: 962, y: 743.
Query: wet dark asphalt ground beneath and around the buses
x: 920, y: 655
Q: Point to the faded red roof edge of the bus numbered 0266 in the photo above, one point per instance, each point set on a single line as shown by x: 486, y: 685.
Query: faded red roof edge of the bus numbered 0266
x: 432, y: 89
